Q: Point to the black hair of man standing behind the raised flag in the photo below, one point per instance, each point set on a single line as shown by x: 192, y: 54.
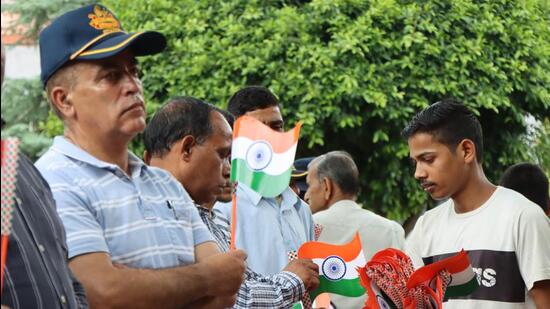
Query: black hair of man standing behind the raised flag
x: 251, y: 98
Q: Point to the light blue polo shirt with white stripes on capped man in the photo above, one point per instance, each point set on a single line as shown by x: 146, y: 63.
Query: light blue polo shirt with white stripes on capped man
x: 142, y: 220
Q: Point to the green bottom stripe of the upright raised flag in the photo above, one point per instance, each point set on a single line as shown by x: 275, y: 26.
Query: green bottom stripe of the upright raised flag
x: 266, y: 185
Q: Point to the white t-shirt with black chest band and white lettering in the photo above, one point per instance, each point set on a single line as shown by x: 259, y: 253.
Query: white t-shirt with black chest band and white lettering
x: 508, y: 243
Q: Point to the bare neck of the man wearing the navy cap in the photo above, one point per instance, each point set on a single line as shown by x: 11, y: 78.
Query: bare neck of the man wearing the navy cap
x: 107, y: 149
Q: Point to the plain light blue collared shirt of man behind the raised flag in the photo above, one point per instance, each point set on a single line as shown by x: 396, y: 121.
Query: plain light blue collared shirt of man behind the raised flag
x: 269, y: 232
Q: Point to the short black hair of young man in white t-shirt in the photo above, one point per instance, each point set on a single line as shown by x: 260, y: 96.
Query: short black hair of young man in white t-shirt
x: 450, y: 122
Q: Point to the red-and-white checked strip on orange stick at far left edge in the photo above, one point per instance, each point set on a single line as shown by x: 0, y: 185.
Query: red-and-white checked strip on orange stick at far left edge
x: 9, y: 156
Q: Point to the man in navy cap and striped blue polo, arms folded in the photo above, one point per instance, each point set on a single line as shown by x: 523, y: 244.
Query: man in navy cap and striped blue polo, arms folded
x: 135, y: 238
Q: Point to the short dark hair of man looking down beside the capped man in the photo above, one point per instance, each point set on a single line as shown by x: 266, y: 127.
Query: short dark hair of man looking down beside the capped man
x: 179, y: 117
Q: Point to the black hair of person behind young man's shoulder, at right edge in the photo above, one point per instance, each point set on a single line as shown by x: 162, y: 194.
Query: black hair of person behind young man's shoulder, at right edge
x: 529, y: 180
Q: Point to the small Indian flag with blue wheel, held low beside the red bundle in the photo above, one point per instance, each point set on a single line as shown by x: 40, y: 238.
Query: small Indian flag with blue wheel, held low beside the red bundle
x: 337, y: 266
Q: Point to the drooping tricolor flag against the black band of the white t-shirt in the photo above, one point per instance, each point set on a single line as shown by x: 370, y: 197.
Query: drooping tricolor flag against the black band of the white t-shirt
x: 463, y: 279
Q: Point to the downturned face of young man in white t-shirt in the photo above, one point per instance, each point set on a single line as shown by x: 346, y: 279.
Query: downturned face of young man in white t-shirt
x: 440, y: 172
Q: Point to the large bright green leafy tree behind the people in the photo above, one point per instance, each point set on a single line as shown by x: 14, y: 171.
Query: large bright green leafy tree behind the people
x: 355, y: 72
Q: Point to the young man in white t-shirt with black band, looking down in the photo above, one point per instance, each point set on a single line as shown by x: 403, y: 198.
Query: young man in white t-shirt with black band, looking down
x: 505, y: 234
